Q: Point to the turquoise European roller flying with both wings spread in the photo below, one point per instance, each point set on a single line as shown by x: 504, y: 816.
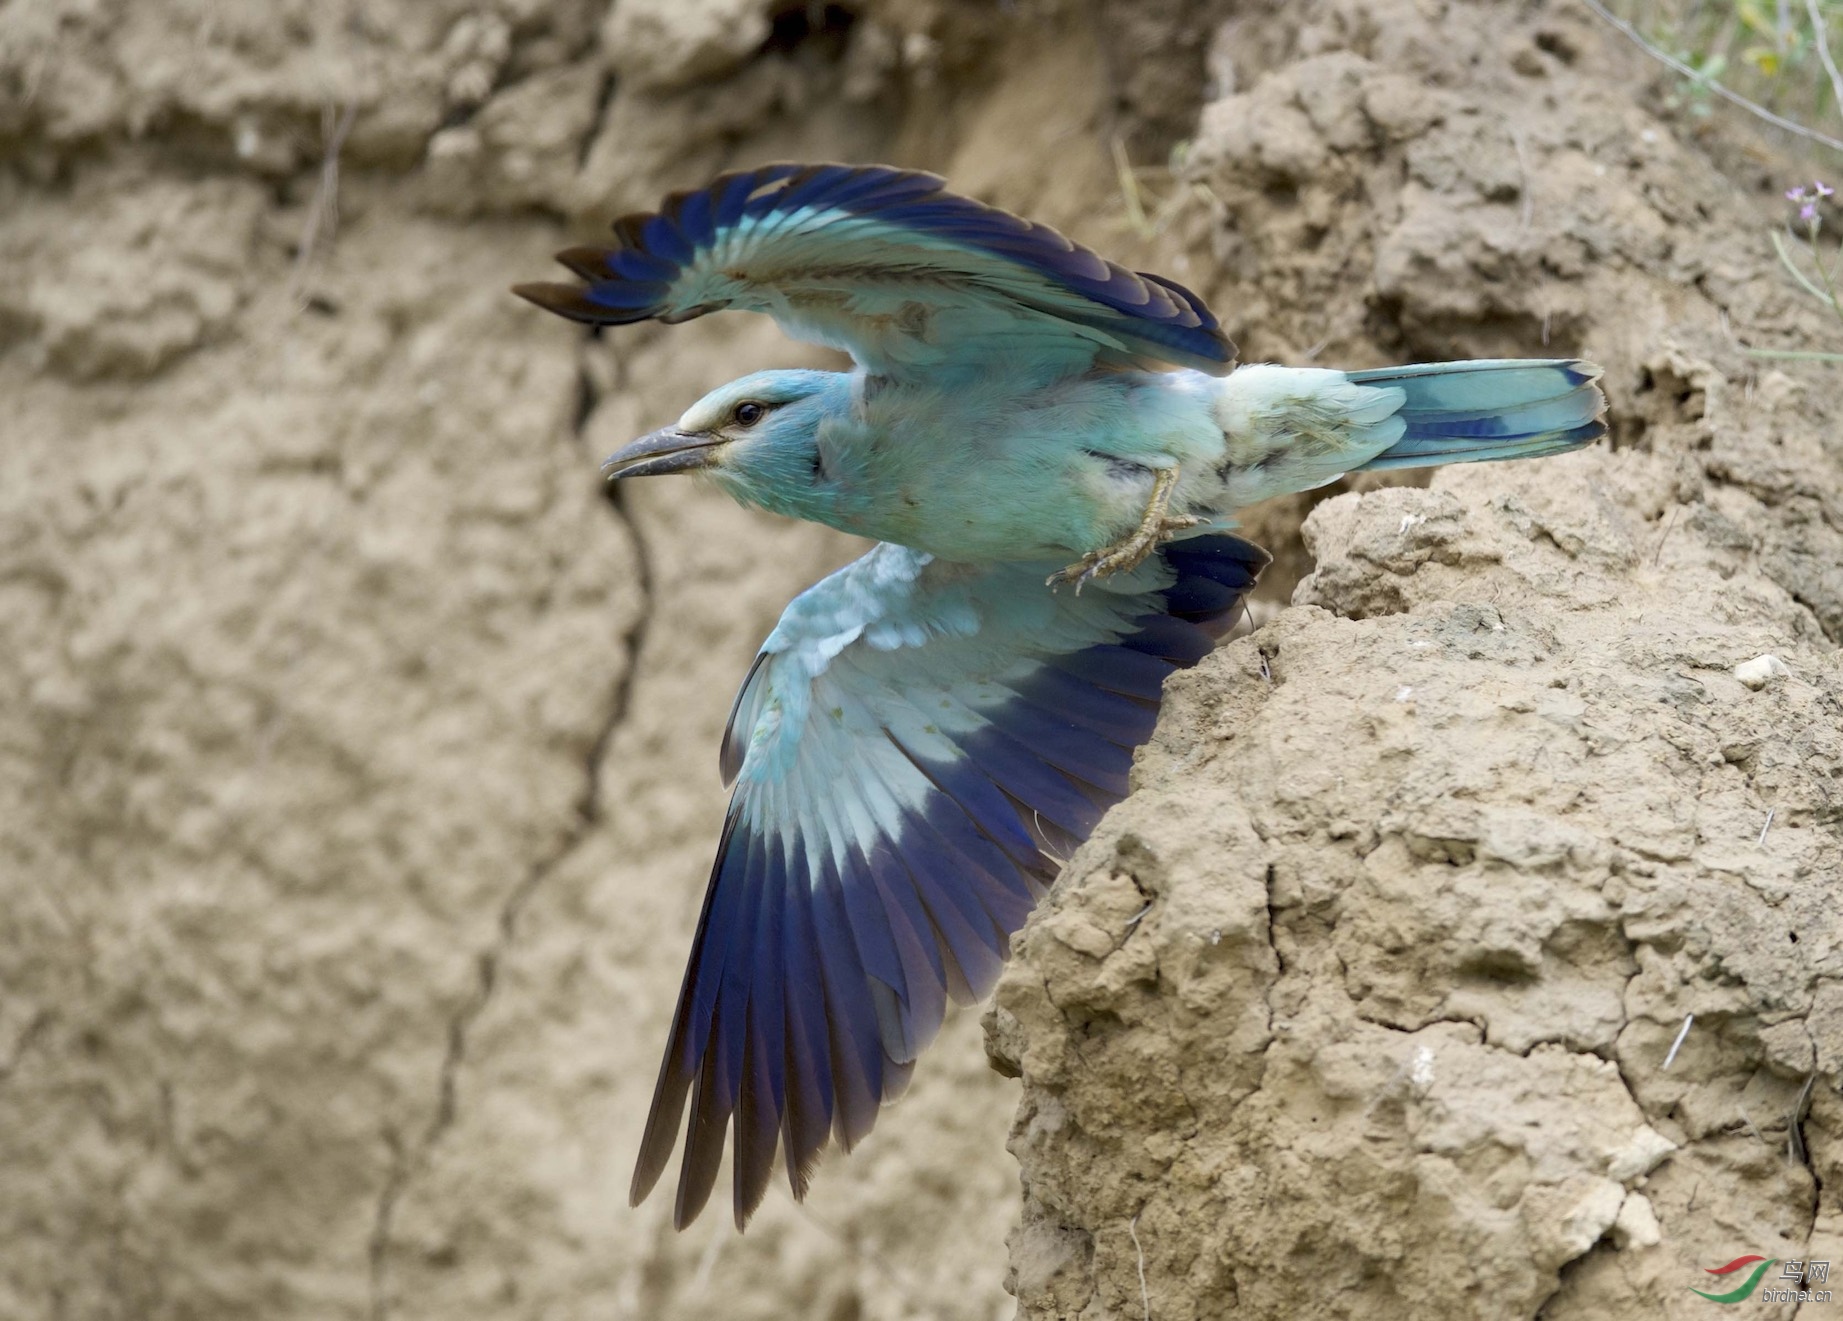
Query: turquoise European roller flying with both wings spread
x: 1048, y: 449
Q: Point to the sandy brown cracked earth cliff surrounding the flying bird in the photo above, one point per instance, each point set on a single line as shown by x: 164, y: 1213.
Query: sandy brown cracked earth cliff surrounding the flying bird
x: 358, y: 758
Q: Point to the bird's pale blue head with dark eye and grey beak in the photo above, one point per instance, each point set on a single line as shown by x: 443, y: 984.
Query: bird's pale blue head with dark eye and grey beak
x: 758, y: 438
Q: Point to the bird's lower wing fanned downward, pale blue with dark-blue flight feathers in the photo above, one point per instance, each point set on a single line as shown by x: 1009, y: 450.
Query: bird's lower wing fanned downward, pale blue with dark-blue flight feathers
x: 915, y: 753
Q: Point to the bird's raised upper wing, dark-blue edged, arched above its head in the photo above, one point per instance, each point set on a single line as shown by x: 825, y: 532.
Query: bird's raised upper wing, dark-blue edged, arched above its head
x: 891, y: 268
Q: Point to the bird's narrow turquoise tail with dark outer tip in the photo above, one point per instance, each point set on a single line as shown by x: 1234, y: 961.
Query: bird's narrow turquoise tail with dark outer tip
x: 1490, y: 410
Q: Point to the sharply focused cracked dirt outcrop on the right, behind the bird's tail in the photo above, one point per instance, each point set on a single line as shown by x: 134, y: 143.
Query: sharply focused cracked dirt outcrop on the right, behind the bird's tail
x: 1368, y: 1001
